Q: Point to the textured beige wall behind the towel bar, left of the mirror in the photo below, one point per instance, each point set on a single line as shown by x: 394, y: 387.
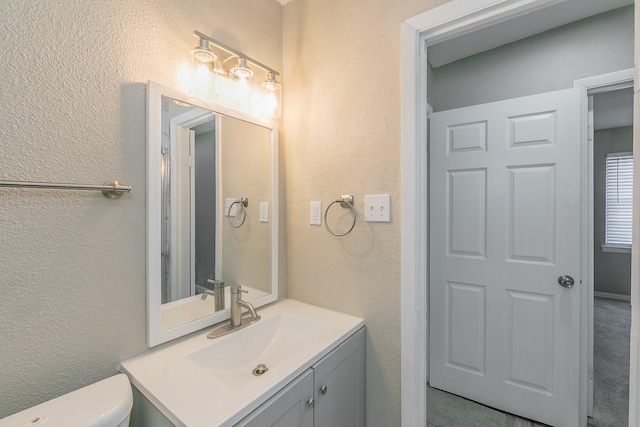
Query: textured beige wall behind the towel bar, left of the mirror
x: 72, y: 102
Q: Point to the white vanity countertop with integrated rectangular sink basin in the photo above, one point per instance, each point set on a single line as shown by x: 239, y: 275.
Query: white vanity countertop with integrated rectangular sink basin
x: 203, y: 382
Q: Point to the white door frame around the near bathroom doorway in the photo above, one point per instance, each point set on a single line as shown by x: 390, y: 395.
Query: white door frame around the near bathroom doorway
x: 438, y: 24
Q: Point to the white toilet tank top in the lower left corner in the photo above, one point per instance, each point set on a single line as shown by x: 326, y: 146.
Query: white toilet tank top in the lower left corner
x: 106, y: 403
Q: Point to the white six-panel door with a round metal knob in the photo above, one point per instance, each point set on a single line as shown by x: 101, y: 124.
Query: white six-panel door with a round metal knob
x: 504, y: 225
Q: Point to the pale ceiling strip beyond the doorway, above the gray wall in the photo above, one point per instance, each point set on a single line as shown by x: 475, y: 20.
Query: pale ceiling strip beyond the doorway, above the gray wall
x: 518, y: 28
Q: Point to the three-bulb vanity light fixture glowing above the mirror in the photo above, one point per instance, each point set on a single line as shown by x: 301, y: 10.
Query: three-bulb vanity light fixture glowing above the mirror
x: 234, y: 83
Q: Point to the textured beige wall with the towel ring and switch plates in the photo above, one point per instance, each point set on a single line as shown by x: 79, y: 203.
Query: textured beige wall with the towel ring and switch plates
x: 342, y: 136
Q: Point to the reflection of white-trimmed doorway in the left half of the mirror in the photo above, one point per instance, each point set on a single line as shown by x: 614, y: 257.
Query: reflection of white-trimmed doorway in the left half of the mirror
x: 188, y: 199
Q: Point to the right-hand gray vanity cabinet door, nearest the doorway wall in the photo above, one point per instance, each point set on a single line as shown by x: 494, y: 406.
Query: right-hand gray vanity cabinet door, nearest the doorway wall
x: 340, y: 385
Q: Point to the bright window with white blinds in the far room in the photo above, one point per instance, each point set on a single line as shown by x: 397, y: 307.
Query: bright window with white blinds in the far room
x: 619, y: 201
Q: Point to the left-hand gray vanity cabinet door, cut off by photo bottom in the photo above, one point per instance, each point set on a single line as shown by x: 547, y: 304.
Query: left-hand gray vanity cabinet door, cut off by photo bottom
x: 288, y: 408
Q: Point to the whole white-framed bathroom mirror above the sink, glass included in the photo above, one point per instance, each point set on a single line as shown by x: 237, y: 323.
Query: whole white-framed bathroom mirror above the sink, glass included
x: 211, y: 210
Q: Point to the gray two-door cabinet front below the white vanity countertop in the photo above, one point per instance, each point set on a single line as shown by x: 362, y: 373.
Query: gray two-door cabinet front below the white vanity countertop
x: 330, y: 394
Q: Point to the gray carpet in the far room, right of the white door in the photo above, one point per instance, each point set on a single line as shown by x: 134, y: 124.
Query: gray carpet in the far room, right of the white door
x: 611, y: 335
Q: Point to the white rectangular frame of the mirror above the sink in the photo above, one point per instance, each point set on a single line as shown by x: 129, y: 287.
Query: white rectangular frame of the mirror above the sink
x: 155, y: 92
